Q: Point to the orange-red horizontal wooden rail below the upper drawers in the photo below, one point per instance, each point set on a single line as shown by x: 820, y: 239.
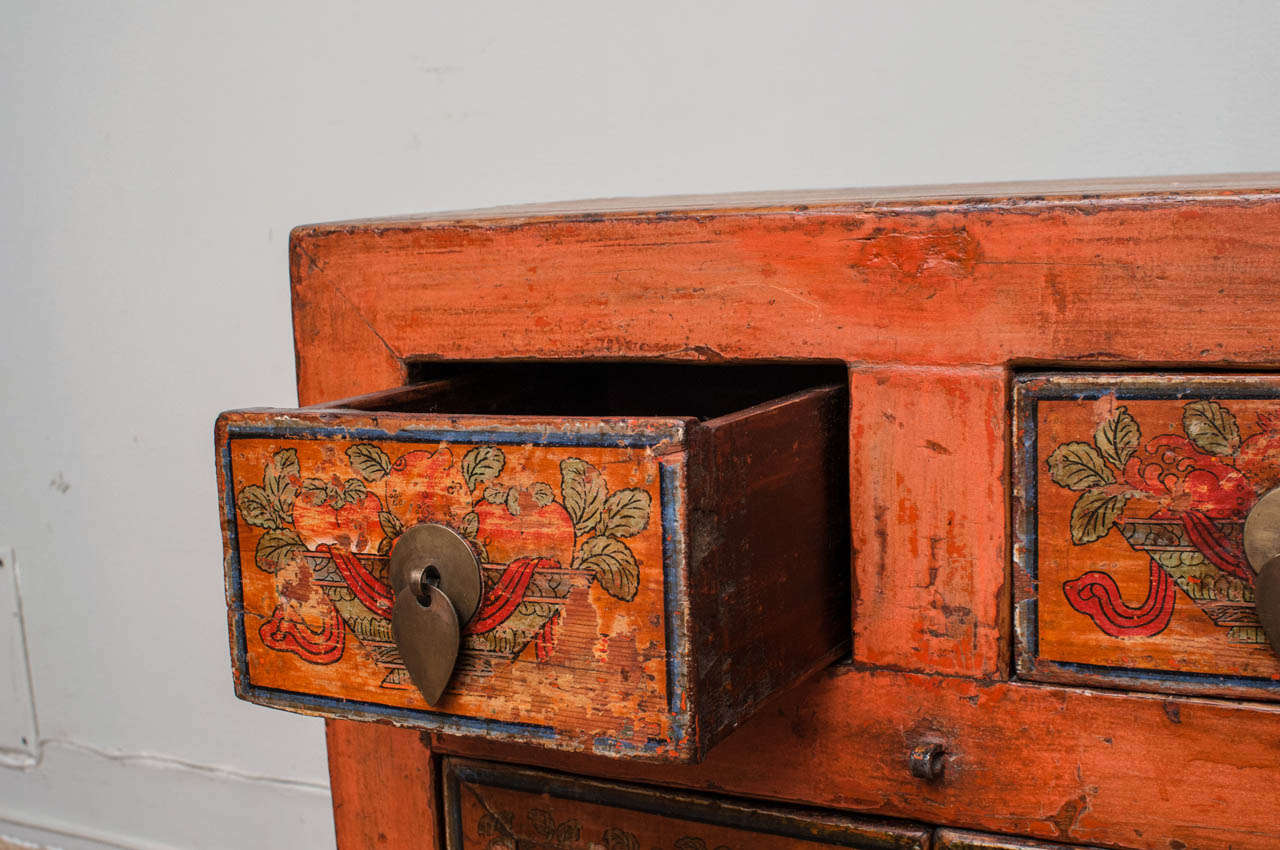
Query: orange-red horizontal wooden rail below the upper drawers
x: 1114, y: 770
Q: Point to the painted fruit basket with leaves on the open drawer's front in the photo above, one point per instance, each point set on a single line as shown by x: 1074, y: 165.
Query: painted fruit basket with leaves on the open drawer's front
x: 536, y: 545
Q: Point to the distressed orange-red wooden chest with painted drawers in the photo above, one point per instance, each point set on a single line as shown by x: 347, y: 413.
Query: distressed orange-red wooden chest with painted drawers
x: 953, y: 555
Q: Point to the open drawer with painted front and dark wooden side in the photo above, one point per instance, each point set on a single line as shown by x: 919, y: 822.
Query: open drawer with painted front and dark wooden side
x: 648, y: 573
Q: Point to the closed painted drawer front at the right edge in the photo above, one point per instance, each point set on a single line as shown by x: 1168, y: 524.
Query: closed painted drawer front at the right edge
x: 1131, y: 504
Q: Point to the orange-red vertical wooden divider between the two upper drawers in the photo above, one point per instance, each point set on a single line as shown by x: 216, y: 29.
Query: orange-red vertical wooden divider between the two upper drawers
x: 927, y: 482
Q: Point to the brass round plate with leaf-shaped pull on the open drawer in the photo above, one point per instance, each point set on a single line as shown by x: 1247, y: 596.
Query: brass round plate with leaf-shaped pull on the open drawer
x: 436, y: 577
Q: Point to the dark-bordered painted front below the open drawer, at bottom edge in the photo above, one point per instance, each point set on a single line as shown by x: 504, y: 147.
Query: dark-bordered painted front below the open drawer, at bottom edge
x: 496, y: 807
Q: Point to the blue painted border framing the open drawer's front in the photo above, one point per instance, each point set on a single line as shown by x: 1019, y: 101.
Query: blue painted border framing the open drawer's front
x: 674, y: 589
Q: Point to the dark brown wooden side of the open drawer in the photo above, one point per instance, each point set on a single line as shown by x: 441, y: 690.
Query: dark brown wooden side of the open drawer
x: 769, y: 552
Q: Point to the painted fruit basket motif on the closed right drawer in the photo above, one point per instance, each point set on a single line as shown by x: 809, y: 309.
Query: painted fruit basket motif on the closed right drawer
x: 1182, y: 500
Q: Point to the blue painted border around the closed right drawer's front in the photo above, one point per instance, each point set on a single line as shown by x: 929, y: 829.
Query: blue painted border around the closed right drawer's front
x: 1031, y: 482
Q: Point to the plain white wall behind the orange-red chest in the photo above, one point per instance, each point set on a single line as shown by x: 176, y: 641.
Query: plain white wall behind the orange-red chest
x: 157, y: 156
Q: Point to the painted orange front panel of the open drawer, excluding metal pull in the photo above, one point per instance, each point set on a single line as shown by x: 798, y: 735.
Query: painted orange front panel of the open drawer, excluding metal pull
x: 575, y: 541
